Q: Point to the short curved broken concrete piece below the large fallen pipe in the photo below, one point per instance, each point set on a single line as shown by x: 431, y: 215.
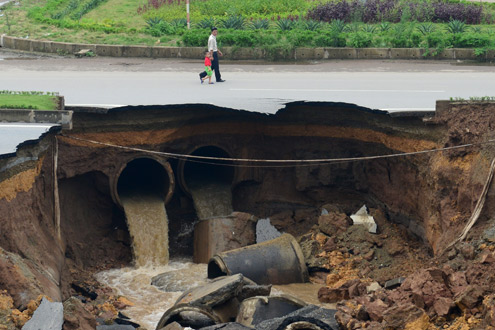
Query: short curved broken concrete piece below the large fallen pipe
x: 258, y: 309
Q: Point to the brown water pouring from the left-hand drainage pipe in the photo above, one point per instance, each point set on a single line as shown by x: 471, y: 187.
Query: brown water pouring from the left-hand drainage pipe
x: 148, y: 226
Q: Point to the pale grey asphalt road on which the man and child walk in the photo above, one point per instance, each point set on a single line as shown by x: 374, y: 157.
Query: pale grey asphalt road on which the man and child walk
x: 254, y: 86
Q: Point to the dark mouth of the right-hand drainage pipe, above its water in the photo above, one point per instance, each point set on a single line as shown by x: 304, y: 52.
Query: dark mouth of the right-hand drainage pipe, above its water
x: 195, y: 171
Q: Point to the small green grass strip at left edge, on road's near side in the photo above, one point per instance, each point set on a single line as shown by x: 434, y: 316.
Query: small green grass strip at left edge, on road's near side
x: 28, y: 100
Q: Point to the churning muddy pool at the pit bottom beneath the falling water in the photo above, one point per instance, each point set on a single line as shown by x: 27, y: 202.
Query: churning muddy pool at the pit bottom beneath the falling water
x: 149, y: 302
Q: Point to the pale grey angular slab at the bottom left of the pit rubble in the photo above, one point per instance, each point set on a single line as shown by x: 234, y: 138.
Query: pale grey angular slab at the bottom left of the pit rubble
x: 48, y: 316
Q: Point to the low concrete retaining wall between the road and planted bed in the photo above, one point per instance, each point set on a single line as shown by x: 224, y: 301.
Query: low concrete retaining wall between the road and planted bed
x: 235, y: 53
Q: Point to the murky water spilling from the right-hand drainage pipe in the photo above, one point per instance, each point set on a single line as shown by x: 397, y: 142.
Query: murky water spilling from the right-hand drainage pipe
x: 211, y: 199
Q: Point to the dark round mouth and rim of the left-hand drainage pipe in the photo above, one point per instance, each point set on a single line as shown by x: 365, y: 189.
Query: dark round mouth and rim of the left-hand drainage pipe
x: 143, y: 174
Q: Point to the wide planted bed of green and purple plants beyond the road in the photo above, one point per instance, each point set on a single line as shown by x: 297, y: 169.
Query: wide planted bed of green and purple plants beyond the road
x: 275, y: 25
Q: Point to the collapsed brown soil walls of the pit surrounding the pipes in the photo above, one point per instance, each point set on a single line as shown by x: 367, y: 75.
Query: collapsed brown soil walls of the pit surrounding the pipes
x: 64, y: 221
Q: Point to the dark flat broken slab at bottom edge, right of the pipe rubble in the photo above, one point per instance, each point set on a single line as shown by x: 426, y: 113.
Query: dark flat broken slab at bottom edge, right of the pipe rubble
x: 308, y: 317
